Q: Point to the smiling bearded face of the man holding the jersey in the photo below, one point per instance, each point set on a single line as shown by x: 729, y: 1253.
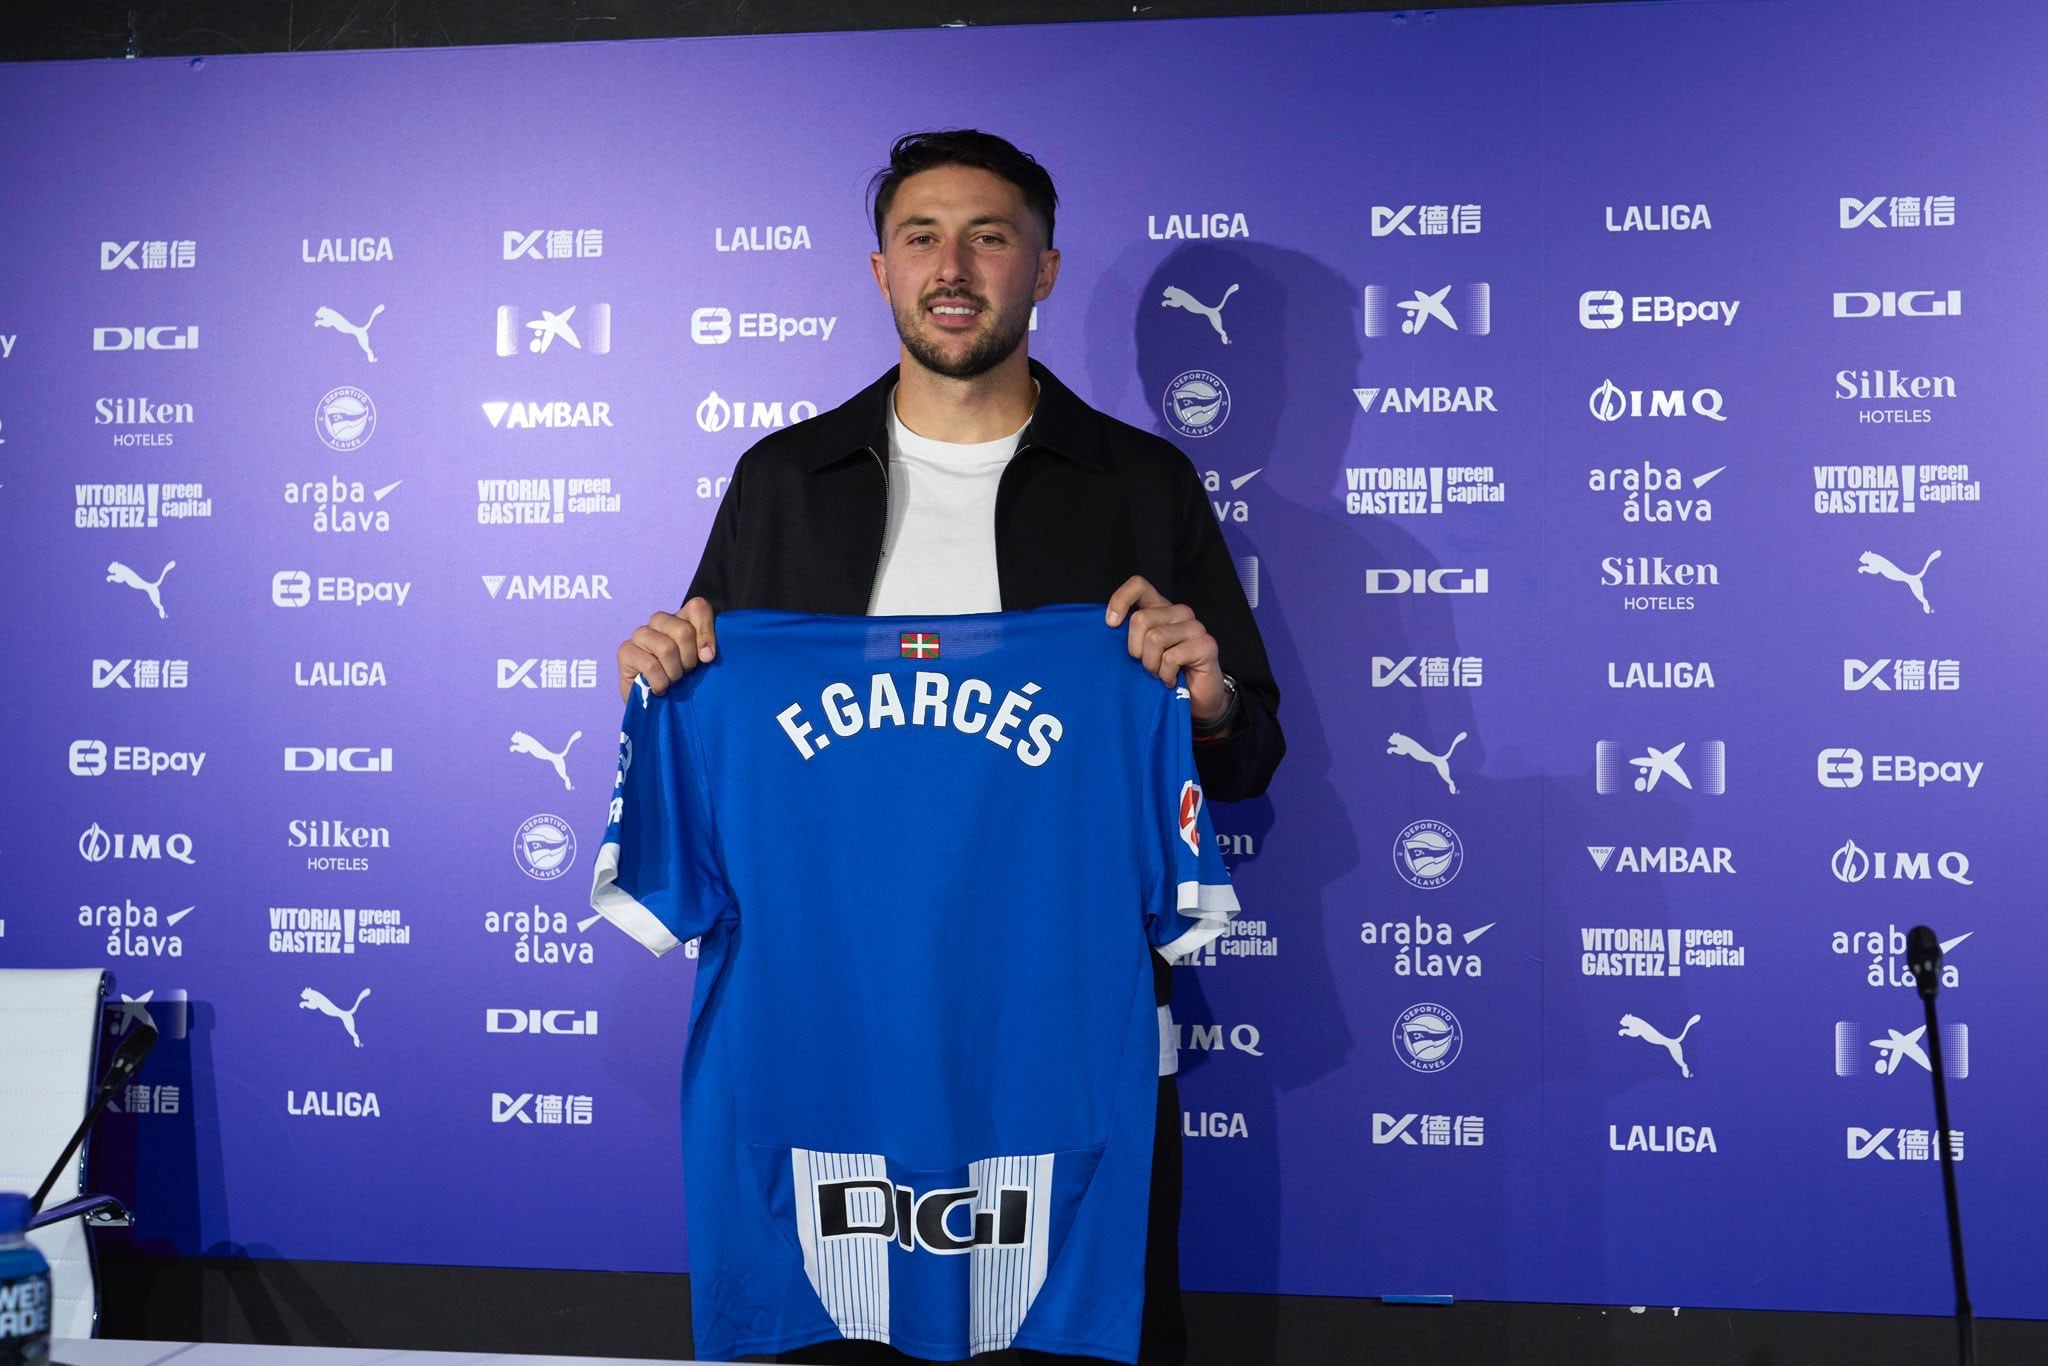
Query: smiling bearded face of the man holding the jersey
x: 962, y: 265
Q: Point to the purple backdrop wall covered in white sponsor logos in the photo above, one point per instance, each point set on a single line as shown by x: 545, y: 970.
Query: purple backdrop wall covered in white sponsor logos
x: 1621, y: 417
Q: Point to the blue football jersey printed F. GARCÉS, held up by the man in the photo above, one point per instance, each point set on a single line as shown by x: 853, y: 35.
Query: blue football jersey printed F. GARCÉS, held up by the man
x: 927, y: 861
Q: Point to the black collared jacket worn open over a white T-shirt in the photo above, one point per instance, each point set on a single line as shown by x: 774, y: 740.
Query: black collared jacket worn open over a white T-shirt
x: 1084, y: 505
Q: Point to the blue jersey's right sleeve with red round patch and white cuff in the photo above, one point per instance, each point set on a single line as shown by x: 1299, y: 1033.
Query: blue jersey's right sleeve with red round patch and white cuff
x: 1199, y: 900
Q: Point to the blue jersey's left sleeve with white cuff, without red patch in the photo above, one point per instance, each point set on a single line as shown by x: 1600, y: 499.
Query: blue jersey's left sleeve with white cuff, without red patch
x: 658, y: 876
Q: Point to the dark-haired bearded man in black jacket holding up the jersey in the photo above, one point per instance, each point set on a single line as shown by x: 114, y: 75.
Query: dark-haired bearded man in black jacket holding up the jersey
x: 888, y: 505
